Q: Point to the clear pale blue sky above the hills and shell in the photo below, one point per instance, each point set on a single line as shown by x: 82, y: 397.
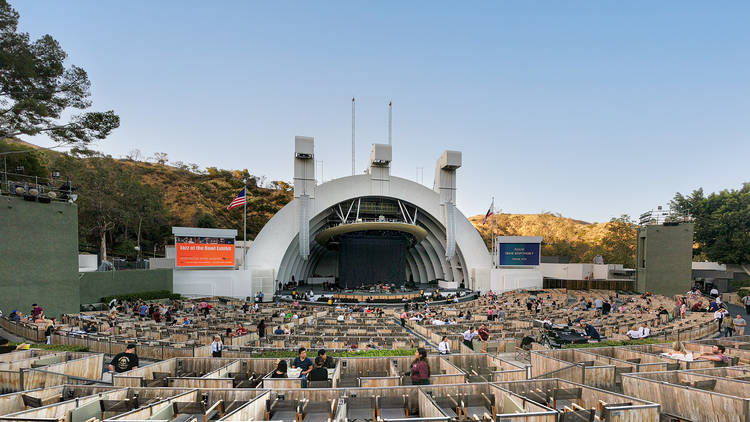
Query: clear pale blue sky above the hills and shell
x: 590, y: 109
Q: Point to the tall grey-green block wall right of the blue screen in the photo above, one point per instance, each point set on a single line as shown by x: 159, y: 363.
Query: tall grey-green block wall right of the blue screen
x: 664, y: 258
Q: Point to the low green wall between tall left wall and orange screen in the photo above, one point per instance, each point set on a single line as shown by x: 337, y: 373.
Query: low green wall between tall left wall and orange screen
x: 94, y: 286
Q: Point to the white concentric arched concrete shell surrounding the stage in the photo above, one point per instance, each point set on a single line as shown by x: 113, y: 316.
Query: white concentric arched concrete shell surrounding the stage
x: 276, y: 246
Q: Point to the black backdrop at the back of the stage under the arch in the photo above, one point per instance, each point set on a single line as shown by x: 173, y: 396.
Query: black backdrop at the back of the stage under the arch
x: 371, y: 259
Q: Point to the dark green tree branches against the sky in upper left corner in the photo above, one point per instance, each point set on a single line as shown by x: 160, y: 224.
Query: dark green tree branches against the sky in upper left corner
x: 36, y: 88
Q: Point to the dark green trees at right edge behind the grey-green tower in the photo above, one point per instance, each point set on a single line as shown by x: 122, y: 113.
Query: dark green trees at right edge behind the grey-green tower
x: 722, y: 223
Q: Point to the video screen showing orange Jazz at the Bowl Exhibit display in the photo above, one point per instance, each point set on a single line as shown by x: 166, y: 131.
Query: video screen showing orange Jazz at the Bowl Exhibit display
x: 196, y: 251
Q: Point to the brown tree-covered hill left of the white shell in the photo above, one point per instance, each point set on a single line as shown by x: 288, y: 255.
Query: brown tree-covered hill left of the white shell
x: 120, y: 200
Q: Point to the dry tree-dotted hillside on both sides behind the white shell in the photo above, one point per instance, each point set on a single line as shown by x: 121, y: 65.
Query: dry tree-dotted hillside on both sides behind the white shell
x: 120, y: 198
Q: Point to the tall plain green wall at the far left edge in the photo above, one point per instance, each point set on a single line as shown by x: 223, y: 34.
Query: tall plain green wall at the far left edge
x: 38, y: 256
